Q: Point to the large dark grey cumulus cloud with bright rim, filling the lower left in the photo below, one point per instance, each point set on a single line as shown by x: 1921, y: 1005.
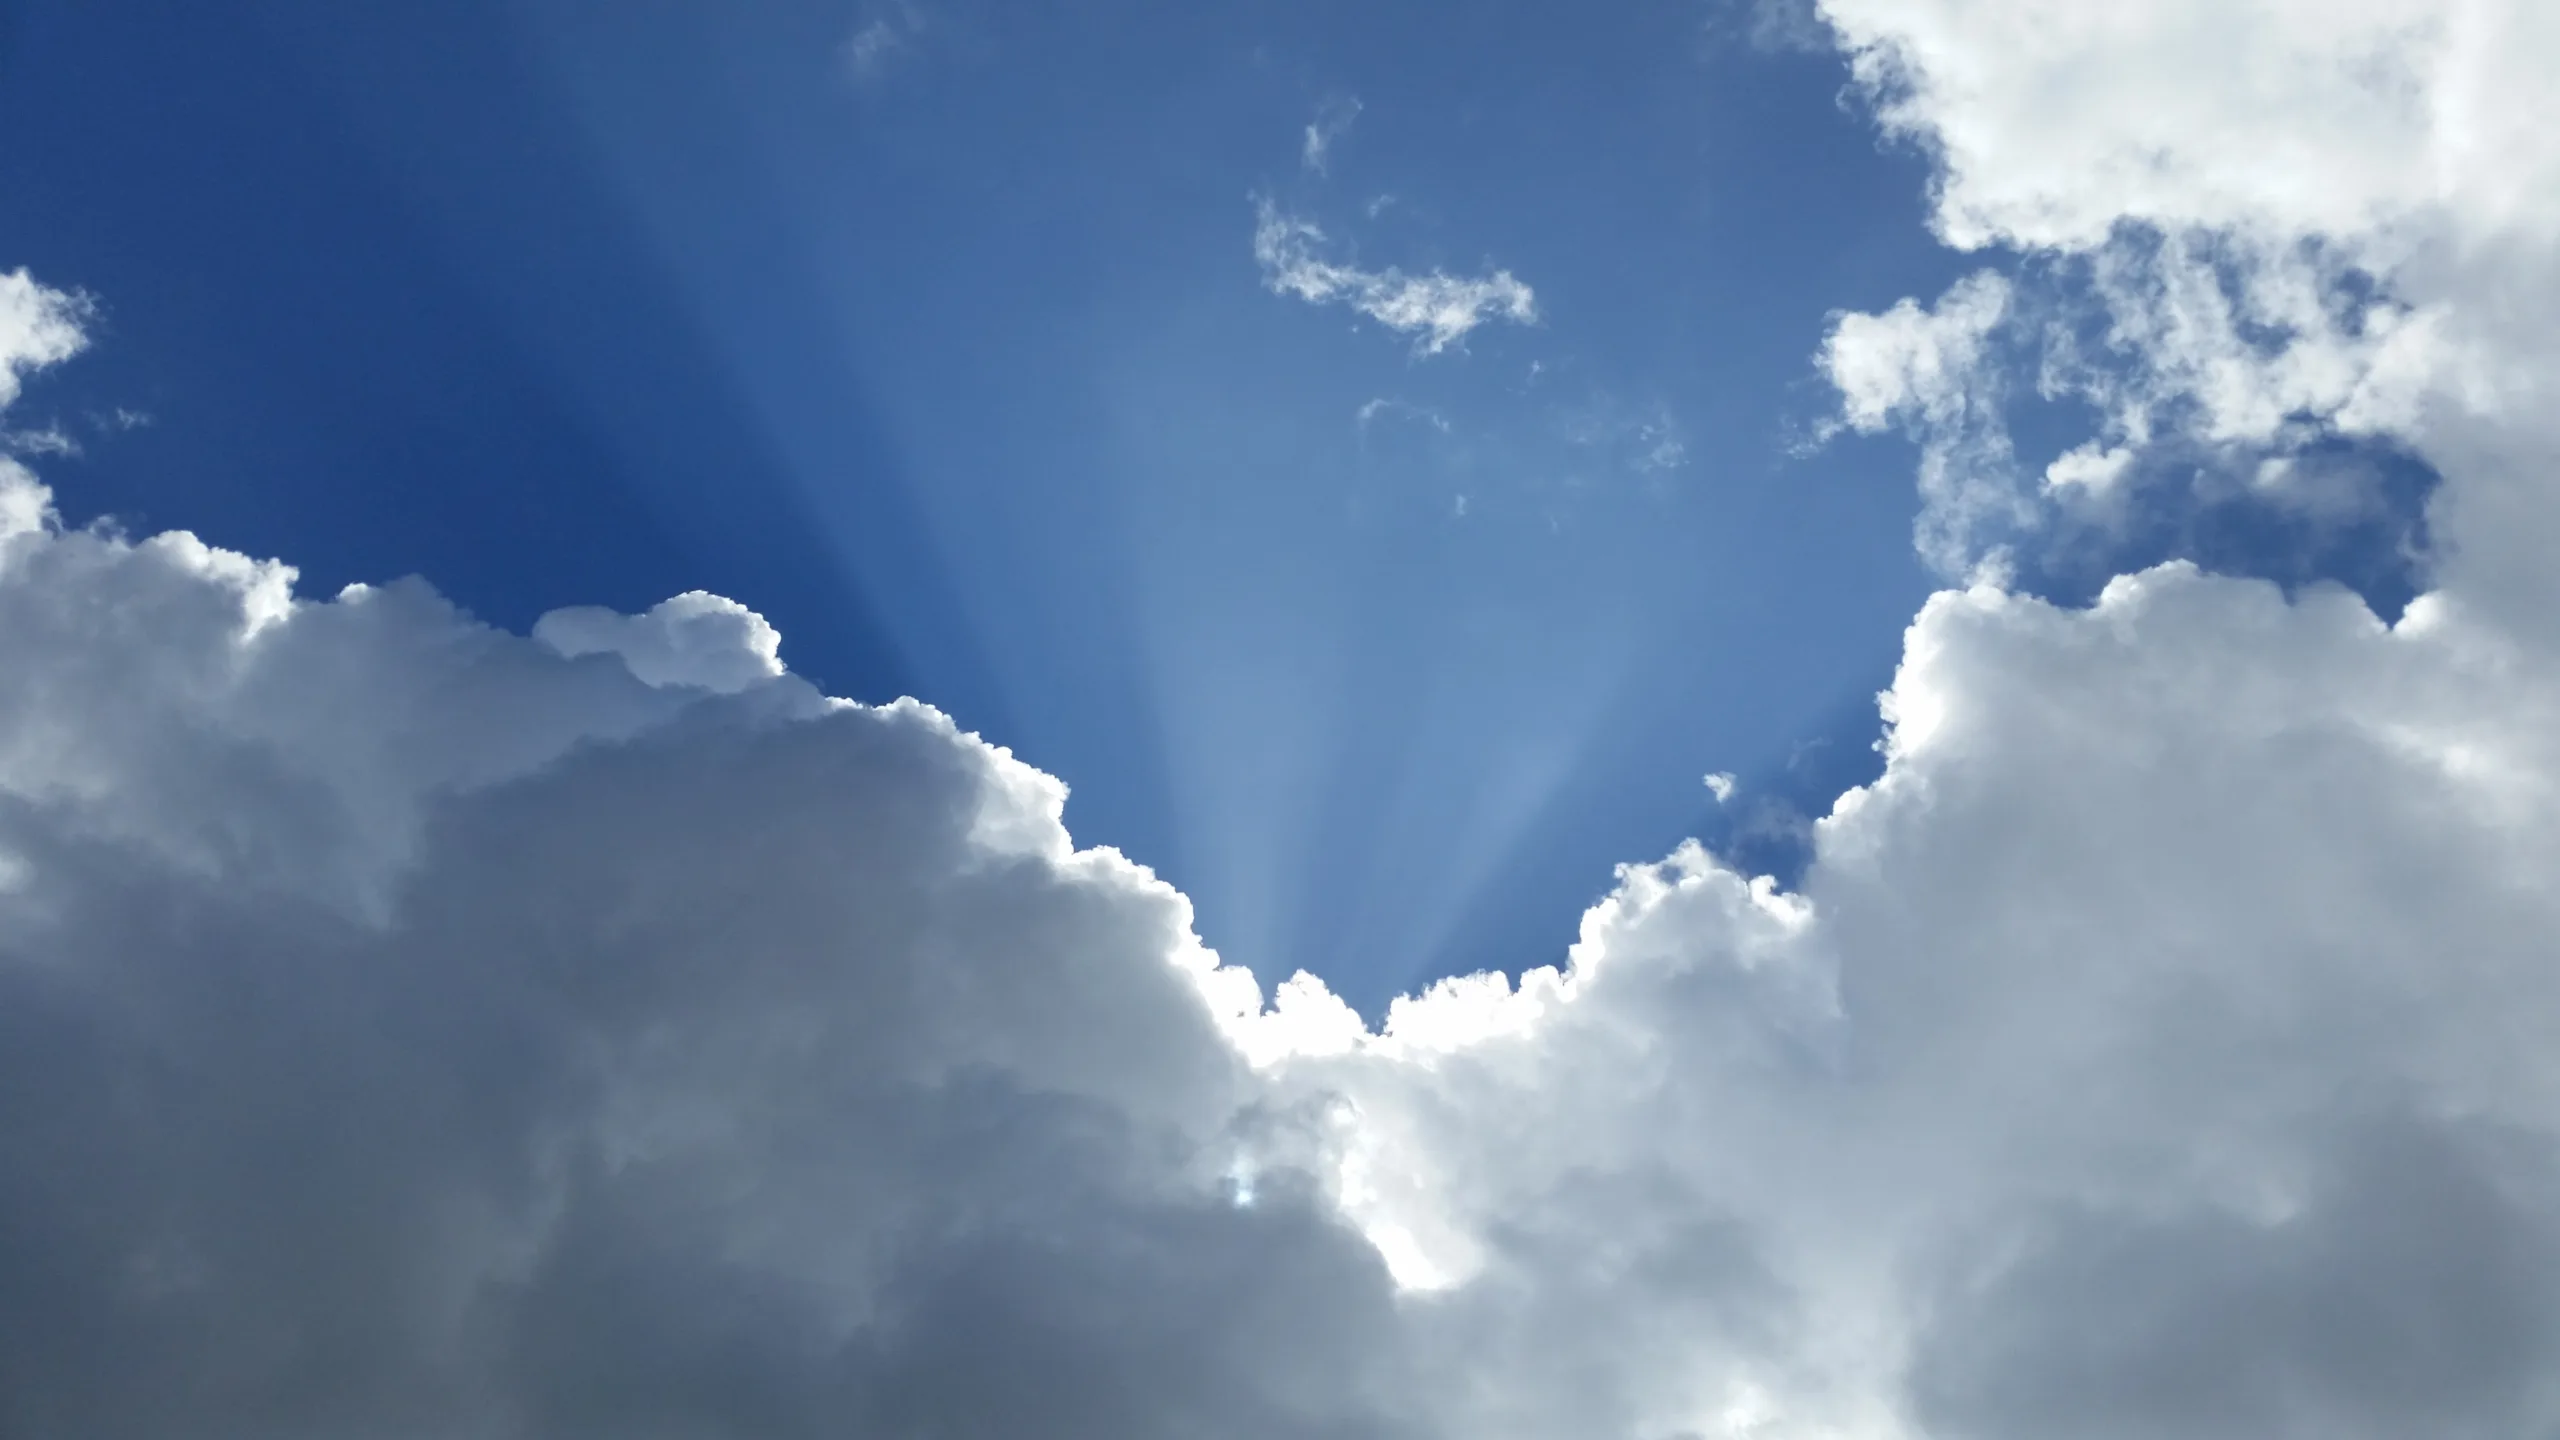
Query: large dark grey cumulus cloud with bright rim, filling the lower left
x: 419, y: 1034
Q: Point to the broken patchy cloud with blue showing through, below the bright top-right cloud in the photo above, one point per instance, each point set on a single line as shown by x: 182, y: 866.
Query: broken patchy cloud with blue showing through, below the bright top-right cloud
x: 2208, y: 340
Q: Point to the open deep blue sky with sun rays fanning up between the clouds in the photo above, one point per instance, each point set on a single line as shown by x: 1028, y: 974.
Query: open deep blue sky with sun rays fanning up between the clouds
x: 936, y: 334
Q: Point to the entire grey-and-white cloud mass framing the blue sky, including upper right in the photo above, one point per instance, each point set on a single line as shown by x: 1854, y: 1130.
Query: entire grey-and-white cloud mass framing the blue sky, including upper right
x: 429, y: 1031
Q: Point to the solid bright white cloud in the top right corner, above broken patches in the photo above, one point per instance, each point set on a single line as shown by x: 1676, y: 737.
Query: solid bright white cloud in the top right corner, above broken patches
x: 2060, y: 122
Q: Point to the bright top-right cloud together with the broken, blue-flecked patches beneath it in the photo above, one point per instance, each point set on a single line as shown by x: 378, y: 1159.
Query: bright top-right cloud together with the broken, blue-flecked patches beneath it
x: 2290, y: 219
